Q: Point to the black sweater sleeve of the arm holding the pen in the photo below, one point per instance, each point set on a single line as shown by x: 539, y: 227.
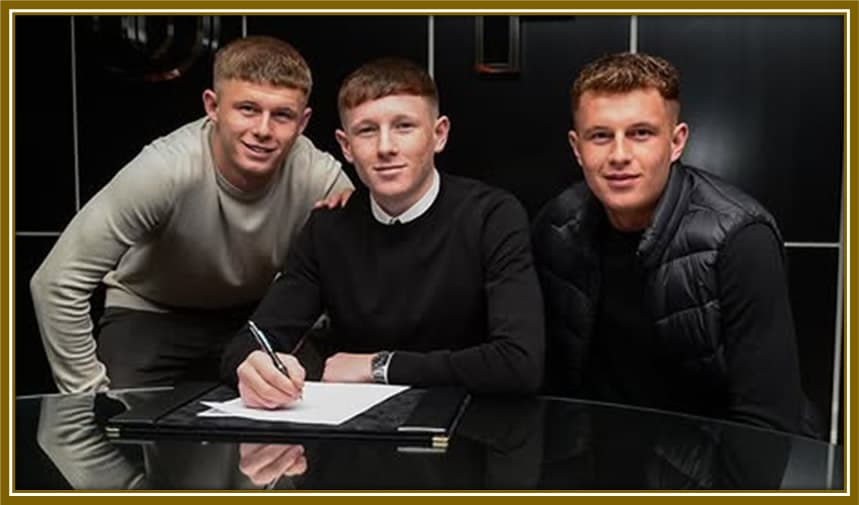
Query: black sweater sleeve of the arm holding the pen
x: 289, y: 309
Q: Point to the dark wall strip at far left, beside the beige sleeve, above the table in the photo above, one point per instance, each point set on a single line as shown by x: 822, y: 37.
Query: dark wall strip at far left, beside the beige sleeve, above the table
x: 32, y: 372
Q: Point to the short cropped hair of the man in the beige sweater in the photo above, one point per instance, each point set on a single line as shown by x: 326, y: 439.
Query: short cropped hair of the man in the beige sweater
x: 263, y: 60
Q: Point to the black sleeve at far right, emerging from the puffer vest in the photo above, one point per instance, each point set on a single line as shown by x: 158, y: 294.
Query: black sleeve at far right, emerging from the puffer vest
x: 761, y: 354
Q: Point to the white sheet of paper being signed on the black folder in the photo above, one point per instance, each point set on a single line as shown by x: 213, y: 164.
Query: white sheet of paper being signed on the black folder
x: 323, y: 403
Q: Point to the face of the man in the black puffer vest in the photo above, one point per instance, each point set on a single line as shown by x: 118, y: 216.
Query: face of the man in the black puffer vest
x: 625, y: 144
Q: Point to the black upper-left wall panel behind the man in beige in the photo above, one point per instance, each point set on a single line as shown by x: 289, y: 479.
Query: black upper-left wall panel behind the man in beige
x: 120, y: 110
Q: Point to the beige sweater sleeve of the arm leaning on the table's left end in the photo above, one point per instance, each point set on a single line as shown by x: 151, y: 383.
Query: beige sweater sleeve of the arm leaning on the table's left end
x: 132, y: 205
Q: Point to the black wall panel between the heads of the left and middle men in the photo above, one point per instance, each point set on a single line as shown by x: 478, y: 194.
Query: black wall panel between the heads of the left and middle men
x: 334, y: 46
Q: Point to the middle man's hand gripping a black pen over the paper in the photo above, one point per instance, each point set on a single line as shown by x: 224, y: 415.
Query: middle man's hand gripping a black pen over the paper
x: 268, y: 379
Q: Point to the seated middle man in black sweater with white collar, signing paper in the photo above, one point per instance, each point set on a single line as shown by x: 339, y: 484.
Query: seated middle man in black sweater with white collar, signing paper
x: 427, y: 278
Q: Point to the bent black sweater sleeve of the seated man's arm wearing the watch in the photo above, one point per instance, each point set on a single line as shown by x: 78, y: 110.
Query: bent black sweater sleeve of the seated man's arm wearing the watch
x: 511, y: 358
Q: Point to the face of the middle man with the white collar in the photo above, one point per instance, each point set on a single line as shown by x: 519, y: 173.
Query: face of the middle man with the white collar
x: 392, y: 142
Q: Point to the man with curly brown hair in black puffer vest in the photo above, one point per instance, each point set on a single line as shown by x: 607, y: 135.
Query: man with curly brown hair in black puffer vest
x: 664, y: 286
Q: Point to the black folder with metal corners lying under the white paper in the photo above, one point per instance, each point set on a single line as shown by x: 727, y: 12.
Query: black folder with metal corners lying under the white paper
x: 419, y: 417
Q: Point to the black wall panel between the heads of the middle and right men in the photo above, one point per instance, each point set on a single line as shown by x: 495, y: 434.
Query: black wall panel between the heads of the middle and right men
x: 512, y: 131
